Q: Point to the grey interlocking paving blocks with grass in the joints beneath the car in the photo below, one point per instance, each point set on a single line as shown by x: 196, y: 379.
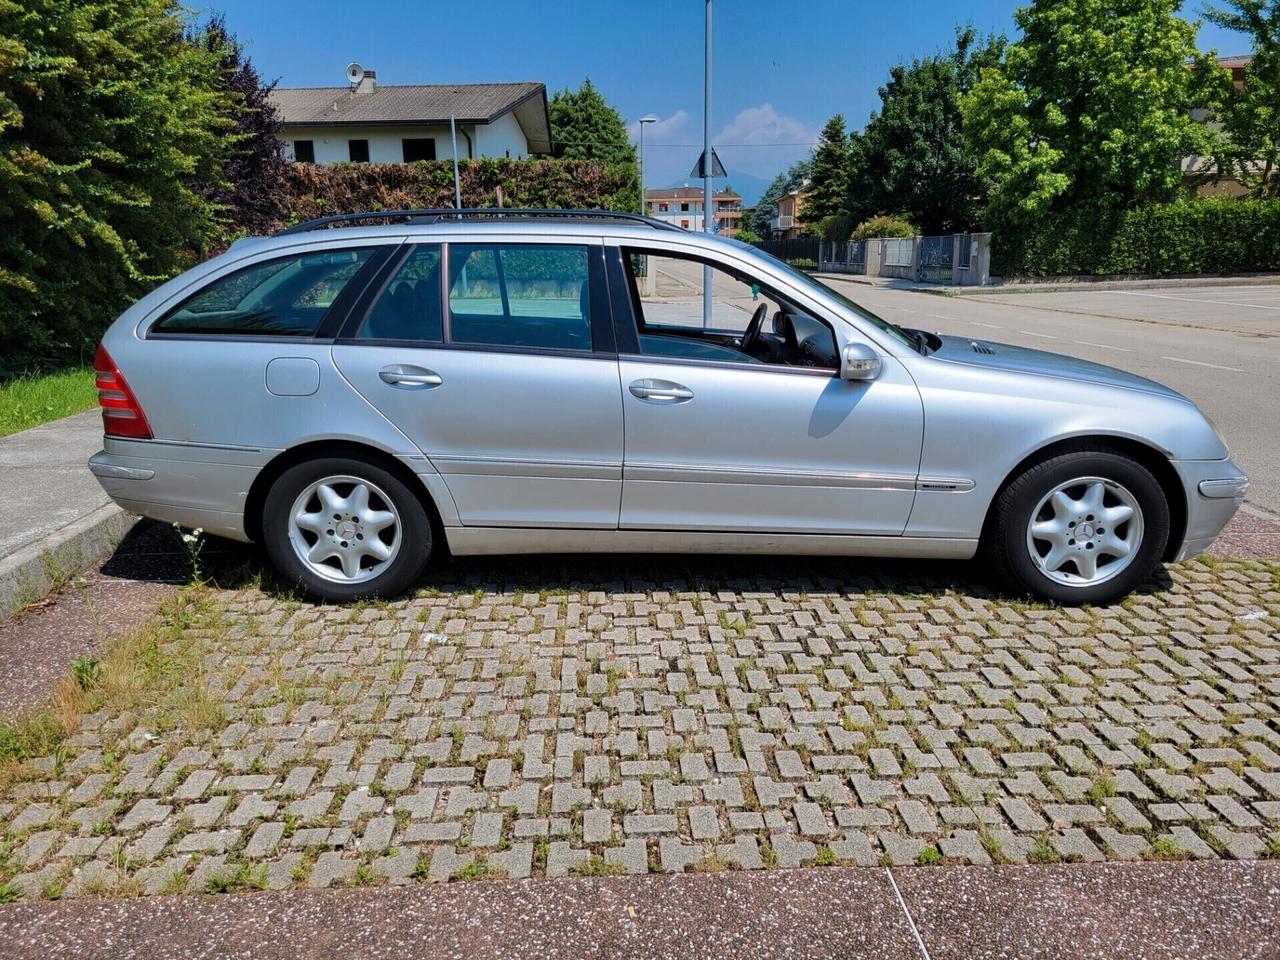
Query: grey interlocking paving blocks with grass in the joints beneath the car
x: 598, y: 716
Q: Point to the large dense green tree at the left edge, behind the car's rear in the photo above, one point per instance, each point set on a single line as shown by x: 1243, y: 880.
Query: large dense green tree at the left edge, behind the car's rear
x: 111, y: 129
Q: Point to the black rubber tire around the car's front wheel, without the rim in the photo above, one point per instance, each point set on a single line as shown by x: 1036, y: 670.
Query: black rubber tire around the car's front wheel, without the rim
x: 1008, y: 550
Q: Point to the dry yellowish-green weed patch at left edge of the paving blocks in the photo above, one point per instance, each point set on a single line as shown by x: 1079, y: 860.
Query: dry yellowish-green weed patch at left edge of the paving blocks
x: 153, y: 674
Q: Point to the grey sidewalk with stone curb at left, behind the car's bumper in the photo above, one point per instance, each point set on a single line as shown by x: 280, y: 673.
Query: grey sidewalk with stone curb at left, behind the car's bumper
x: 57, y: 519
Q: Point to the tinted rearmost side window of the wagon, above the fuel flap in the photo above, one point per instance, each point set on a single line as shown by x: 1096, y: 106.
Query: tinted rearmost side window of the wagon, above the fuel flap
x: 285, y: 298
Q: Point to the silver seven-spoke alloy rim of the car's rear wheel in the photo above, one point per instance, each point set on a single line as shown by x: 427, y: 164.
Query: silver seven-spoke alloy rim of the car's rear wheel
x: 345, y: 529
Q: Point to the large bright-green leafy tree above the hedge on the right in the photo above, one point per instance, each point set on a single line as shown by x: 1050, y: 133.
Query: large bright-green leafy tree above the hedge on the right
x: 1091, y: 107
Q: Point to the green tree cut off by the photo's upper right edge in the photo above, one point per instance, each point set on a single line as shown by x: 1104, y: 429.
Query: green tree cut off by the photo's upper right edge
x: 1251, y: 116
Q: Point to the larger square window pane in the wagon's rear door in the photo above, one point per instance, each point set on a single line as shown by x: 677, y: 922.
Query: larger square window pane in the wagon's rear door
x: 520, y: 295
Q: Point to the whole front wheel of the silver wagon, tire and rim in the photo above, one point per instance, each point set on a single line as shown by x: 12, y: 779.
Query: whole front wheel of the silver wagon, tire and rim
x: 1080, y: 528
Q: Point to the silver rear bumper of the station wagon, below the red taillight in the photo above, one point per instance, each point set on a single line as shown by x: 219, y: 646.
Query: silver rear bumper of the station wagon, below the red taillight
x: 196, y: 487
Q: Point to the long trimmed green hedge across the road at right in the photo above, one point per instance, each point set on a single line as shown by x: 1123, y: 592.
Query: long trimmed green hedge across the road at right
x: 1195, y: 236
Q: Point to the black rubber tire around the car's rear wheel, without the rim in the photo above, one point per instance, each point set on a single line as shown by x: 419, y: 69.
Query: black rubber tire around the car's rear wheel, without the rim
x: 410, y: 556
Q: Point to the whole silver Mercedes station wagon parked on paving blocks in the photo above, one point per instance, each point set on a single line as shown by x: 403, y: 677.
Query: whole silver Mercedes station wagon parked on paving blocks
x: 359, y: 392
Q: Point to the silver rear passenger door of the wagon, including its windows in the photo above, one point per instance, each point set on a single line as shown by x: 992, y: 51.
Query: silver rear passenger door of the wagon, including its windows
x: 487, y: 358
